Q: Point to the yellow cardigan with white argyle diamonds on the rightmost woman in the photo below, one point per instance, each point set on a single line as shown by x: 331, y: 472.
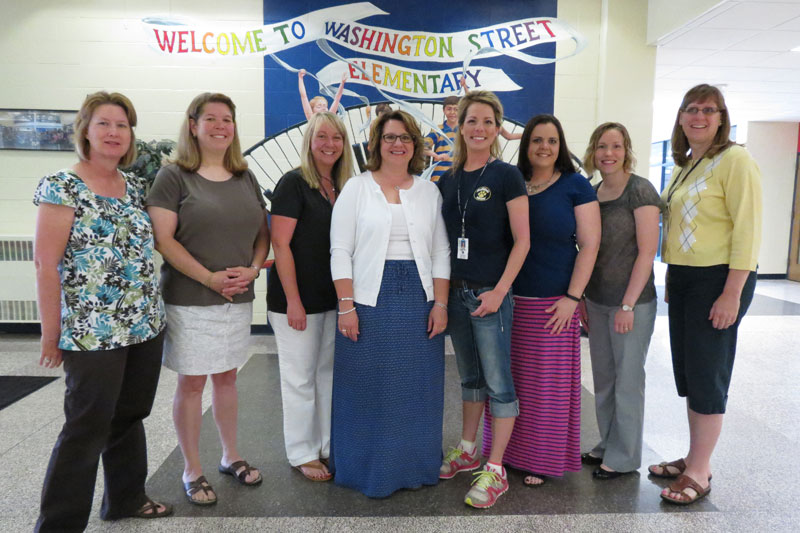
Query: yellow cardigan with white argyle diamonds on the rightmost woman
x: 714, y: 213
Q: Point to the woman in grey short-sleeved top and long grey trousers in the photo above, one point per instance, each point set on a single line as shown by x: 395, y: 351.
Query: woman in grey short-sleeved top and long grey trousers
x: 620, y: 300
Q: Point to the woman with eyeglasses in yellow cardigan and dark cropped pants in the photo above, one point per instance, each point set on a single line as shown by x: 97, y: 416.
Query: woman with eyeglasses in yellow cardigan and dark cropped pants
x: 712, y: 237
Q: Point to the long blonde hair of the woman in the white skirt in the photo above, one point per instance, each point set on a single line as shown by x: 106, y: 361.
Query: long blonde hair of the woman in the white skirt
x: 187, y: 153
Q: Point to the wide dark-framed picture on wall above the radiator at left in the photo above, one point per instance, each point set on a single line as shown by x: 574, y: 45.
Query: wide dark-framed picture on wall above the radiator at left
x: 36, y: 129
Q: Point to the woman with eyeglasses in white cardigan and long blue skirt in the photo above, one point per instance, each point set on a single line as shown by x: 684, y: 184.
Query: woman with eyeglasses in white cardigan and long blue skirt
x: 390, y: 261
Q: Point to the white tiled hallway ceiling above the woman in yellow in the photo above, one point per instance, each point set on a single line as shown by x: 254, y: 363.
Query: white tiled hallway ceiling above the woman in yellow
x: 742, y: 46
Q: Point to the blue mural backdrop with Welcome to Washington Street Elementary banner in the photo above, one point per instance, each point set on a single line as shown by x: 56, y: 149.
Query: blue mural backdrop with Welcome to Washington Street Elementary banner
x: 388, y: 50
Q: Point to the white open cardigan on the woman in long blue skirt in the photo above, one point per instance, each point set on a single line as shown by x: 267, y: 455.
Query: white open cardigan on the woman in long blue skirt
x: 360, y: 230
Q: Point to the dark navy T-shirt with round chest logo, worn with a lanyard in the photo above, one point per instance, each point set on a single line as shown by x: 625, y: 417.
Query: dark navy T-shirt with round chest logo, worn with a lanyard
x: 486, y: 222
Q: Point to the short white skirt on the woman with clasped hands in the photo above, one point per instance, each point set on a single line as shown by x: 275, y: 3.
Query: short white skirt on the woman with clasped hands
x: 203, y: 340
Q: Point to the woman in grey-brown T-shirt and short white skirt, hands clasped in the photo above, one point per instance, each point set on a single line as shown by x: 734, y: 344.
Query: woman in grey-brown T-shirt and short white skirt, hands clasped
x: 210, y: 225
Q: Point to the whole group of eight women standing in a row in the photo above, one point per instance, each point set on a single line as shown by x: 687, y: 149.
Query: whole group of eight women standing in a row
x: 368, y: 272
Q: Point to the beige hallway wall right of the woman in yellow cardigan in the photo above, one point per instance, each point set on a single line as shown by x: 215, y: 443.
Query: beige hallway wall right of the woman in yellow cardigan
x: 774, y: 147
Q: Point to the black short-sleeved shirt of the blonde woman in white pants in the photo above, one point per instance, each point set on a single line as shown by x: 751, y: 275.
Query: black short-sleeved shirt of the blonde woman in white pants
x: 310, y: 245
